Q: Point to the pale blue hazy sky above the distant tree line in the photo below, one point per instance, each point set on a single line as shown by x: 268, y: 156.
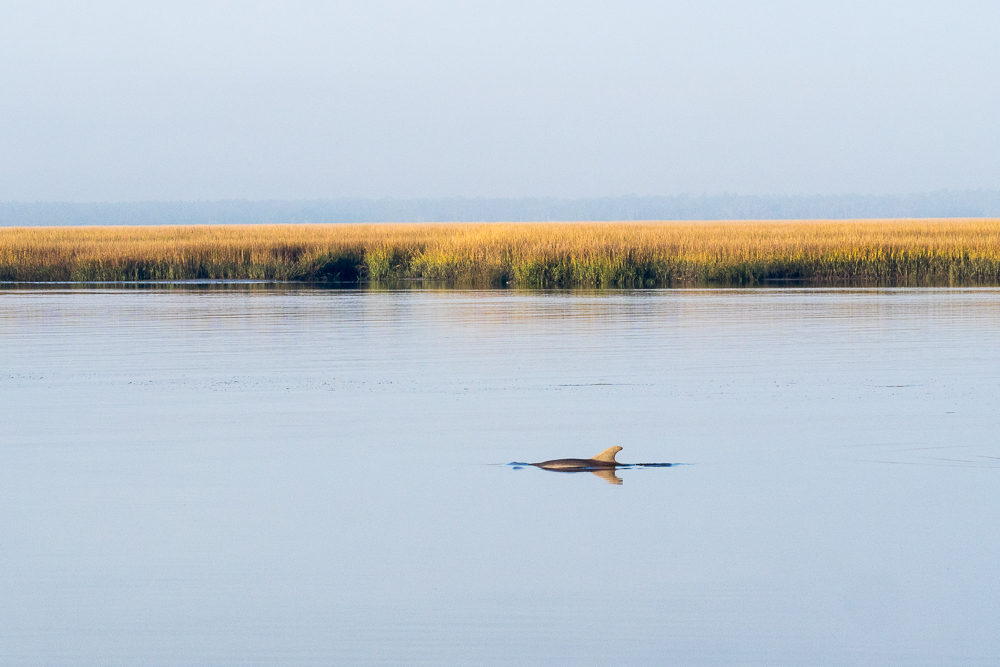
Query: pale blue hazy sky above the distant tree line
x: 210, y: 100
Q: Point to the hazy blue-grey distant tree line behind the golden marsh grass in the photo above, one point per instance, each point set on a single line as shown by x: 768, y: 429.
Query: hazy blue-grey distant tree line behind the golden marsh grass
x: 943, y: 204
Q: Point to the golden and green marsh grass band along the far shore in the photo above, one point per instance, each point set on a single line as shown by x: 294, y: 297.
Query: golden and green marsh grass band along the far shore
x: 597, y: 254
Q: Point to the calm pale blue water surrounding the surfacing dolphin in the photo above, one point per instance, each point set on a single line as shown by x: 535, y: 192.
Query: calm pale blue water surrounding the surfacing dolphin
x: 272, y: 476
